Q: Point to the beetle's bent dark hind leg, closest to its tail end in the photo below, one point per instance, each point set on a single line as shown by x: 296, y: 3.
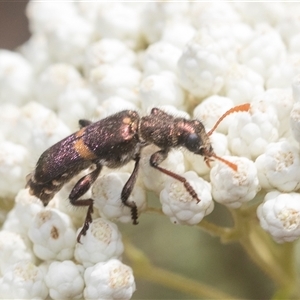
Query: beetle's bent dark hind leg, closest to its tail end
x: 80, y: 188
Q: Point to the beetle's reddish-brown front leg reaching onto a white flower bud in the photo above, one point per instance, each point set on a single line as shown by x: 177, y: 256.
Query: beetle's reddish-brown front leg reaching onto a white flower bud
x: 157, y: 158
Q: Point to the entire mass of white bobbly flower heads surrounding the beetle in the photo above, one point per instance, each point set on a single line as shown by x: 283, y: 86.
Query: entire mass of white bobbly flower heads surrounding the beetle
x: 193, y: 60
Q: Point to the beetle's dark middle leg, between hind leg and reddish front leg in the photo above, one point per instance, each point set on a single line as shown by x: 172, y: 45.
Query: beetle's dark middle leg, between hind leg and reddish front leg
x: 127, y: 189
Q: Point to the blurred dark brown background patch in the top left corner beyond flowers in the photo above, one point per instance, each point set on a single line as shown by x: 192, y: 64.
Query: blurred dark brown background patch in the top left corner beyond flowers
x: 13, y: 24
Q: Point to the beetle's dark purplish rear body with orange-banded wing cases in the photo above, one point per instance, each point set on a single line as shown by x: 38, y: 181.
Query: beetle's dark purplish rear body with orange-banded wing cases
x: 65, y: 159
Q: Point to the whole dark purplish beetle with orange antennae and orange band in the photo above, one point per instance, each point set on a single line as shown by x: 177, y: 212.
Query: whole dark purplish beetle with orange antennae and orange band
x: 113, y: 142
